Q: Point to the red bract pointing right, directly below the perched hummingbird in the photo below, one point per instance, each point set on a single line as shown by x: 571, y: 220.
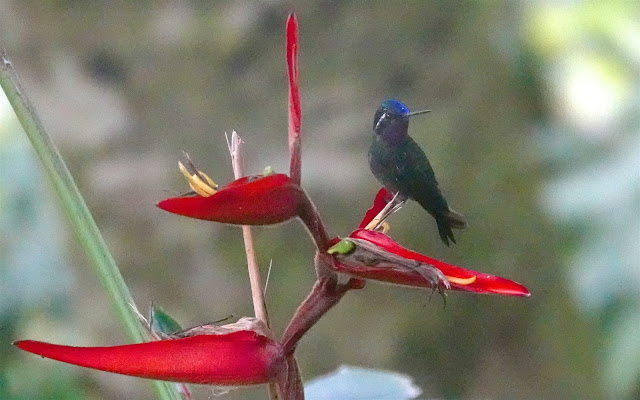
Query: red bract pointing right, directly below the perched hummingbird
x: 459, y: 278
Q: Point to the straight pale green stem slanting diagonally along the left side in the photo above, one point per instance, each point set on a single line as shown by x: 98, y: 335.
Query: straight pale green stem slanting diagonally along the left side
x: 76, y: 209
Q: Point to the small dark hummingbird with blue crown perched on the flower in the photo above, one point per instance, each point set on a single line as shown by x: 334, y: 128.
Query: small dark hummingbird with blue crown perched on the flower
x: 402, y: 167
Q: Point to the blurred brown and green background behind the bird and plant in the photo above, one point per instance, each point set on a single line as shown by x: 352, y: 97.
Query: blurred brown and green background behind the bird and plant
x: 534, y: 136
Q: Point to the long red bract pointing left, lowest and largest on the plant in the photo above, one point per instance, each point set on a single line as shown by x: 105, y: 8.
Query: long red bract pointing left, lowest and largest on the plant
x: 237, y: 354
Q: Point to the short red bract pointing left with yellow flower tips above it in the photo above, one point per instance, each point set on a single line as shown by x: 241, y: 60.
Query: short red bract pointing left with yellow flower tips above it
x: 260, y: 200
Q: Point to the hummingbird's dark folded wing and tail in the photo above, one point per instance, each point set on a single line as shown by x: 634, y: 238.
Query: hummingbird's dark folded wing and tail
x: 415, y: 179
